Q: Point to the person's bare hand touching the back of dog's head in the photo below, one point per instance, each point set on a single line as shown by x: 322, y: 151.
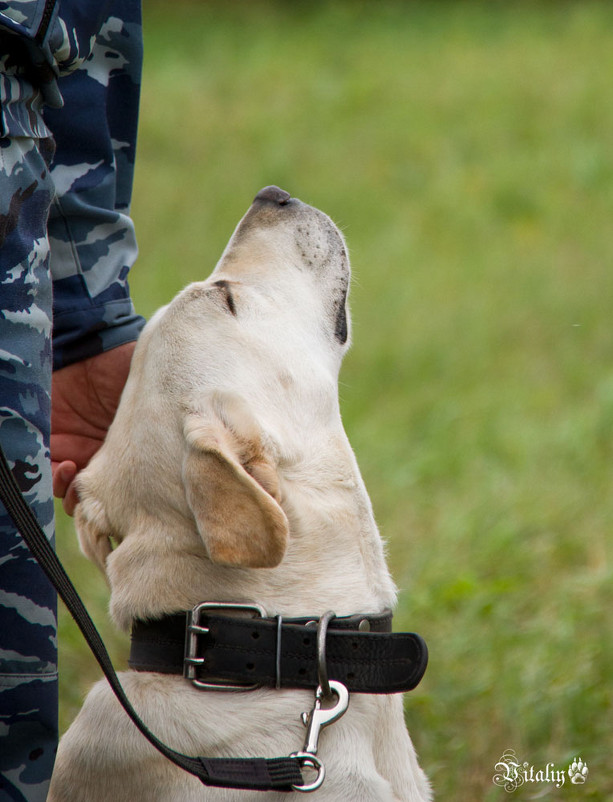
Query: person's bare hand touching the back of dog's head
x: 84, y: 398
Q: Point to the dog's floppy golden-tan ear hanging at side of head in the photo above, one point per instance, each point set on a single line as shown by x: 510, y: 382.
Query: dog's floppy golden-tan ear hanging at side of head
x: 231, y: 485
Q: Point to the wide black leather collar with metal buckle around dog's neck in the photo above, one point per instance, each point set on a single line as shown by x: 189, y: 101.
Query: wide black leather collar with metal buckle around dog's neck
x: 361, y: 651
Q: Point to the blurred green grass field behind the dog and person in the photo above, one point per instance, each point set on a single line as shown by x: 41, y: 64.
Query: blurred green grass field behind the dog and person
x: 466, y: 149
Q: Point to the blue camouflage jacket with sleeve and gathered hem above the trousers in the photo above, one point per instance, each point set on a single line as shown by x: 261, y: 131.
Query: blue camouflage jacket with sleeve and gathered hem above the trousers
x: 96, y: 50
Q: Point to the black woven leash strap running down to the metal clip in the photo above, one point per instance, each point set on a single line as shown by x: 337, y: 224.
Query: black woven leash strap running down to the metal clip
x: 258, y: 774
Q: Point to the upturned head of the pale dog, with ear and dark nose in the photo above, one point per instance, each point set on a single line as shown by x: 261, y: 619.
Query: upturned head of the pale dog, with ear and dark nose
x: 231, y: 380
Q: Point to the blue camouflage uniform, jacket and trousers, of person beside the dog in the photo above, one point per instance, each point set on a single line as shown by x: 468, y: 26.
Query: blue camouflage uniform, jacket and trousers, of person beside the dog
x: 66, y: 246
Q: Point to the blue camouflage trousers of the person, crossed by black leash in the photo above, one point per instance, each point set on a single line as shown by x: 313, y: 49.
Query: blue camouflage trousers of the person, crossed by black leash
x: 28, y: 647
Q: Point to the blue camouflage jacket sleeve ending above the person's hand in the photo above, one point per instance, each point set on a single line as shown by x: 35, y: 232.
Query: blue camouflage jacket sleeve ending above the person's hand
x: 92, y: 239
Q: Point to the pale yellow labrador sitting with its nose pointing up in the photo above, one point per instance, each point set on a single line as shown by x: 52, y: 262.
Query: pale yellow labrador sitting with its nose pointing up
x: 227, y: 476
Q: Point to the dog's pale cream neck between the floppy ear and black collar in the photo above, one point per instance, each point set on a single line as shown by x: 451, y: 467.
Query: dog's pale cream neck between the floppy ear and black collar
x: 334, y: 559
